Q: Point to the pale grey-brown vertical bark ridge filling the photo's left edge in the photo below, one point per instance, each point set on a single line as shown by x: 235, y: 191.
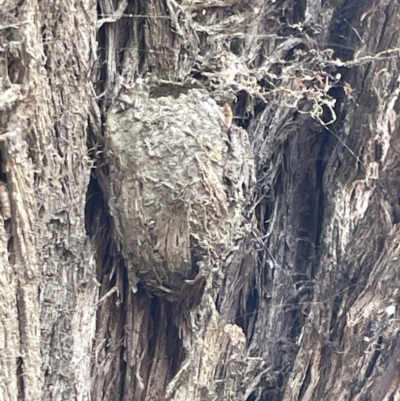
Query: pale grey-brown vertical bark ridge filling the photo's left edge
x: 47, y: 293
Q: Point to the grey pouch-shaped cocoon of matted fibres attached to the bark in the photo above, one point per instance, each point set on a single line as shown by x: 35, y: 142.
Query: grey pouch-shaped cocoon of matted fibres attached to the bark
x: 178, y: 183
